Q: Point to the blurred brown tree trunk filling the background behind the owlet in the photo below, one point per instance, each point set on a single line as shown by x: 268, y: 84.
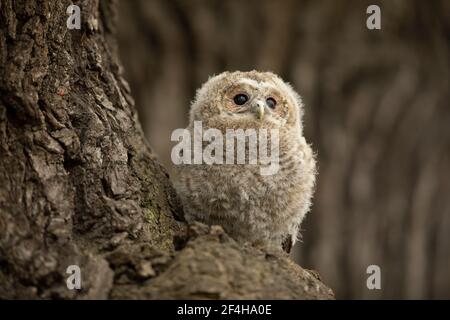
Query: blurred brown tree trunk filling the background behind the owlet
x: 377, y: 112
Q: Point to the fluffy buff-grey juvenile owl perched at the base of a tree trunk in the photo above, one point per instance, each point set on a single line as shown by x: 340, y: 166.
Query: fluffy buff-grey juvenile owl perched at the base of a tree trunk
x: 252, y: 206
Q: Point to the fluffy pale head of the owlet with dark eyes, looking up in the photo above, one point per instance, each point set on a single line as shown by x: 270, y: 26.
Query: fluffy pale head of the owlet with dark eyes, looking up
x: 247, y: 100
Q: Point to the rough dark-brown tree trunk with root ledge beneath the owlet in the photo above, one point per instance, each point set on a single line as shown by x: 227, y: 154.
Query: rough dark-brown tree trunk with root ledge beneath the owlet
x: 80, y: 186
